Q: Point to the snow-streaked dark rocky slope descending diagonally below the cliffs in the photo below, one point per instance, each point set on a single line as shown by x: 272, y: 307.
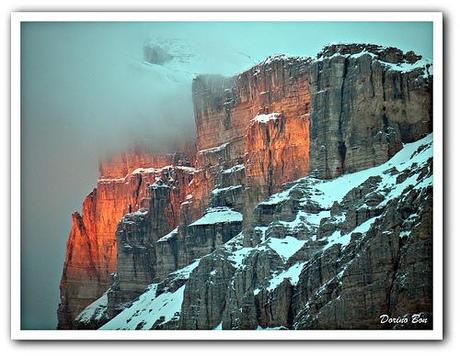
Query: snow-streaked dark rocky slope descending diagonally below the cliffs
x: 343, y: 217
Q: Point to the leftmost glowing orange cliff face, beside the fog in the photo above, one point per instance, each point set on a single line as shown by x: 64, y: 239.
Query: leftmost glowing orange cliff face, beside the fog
x: 91, y: 253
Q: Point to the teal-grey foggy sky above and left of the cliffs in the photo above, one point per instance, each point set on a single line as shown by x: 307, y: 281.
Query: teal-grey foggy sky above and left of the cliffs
x: 87, y: 90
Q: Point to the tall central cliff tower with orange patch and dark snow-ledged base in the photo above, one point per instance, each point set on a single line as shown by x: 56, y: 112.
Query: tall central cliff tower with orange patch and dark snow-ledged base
x: 238, y: 162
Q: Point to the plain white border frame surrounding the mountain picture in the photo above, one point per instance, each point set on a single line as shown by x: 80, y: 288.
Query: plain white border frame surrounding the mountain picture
x: 435, y: 334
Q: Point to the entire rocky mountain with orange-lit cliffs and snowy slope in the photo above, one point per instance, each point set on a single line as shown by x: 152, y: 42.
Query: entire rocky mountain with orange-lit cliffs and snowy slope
x: 306, y: 205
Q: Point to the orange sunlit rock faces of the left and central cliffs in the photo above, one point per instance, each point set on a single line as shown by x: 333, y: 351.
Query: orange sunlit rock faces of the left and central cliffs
x: 270, y: 153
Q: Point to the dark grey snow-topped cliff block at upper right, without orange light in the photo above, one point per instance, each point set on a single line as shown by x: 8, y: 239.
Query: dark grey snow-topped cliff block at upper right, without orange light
x: 366, y: 102
